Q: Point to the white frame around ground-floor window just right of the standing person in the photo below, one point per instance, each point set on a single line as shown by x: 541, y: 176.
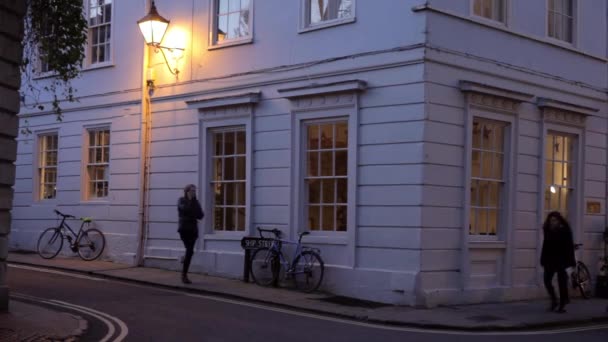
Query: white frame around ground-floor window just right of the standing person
x: 207, y: 127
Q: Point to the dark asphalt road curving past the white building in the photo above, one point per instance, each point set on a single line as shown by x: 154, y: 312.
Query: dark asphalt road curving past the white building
x: 156, y: 314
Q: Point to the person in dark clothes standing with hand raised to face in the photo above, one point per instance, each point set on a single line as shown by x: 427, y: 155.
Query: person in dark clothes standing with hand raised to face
x: 189, y: 210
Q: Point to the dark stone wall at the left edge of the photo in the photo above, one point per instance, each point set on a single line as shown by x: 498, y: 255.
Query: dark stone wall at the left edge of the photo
x: 11, y: 14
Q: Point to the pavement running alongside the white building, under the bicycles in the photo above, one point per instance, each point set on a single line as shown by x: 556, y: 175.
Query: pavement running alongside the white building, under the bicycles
x: 522, y: 315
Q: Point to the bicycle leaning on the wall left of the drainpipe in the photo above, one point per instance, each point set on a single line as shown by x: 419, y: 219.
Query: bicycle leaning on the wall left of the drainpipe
x: 88, y: 242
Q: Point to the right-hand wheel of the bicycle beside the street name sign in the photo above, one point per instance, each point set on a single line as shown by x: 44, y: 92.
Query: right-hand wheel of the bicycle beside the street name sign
x: 308, y: 271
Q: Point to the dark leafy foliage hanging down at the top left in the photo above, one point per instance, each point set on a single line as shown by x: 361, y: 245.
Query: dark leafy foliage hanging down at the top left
x: 54, y: 43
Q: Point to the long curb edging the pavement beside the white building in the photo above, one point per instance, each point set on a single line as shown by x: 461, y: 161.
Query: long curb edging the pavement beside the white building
x: 363, y: 319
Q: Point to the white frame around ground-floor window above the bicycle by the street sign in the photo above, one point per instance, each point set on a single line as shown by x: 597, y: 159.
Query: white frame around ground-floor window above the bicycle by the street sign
x: 302, y: 120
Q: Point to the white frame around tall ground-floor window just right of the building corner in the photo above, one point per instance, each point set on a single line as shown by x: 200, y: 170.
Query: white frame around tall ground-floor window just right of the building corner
x: 505, y: 216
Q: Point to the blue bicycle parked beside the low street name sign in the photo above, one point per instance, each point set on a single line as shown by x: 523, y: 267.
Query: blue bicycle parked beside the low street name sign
x: 269, y: 265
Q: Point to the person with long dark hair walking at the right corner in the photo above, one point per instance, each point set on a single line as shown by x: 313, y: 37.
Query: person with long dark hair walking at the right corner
x: 556, y: 256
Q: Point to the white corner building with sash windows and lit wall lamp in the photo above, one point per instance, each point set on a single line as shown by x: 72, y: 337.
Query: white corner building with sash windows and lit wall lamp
x: 421, y: 143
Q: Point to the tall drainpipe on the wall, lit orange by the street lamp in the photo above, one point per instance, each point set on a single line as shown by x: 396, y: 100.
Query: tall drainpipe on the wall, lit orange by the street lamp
x: 144, y: 166
